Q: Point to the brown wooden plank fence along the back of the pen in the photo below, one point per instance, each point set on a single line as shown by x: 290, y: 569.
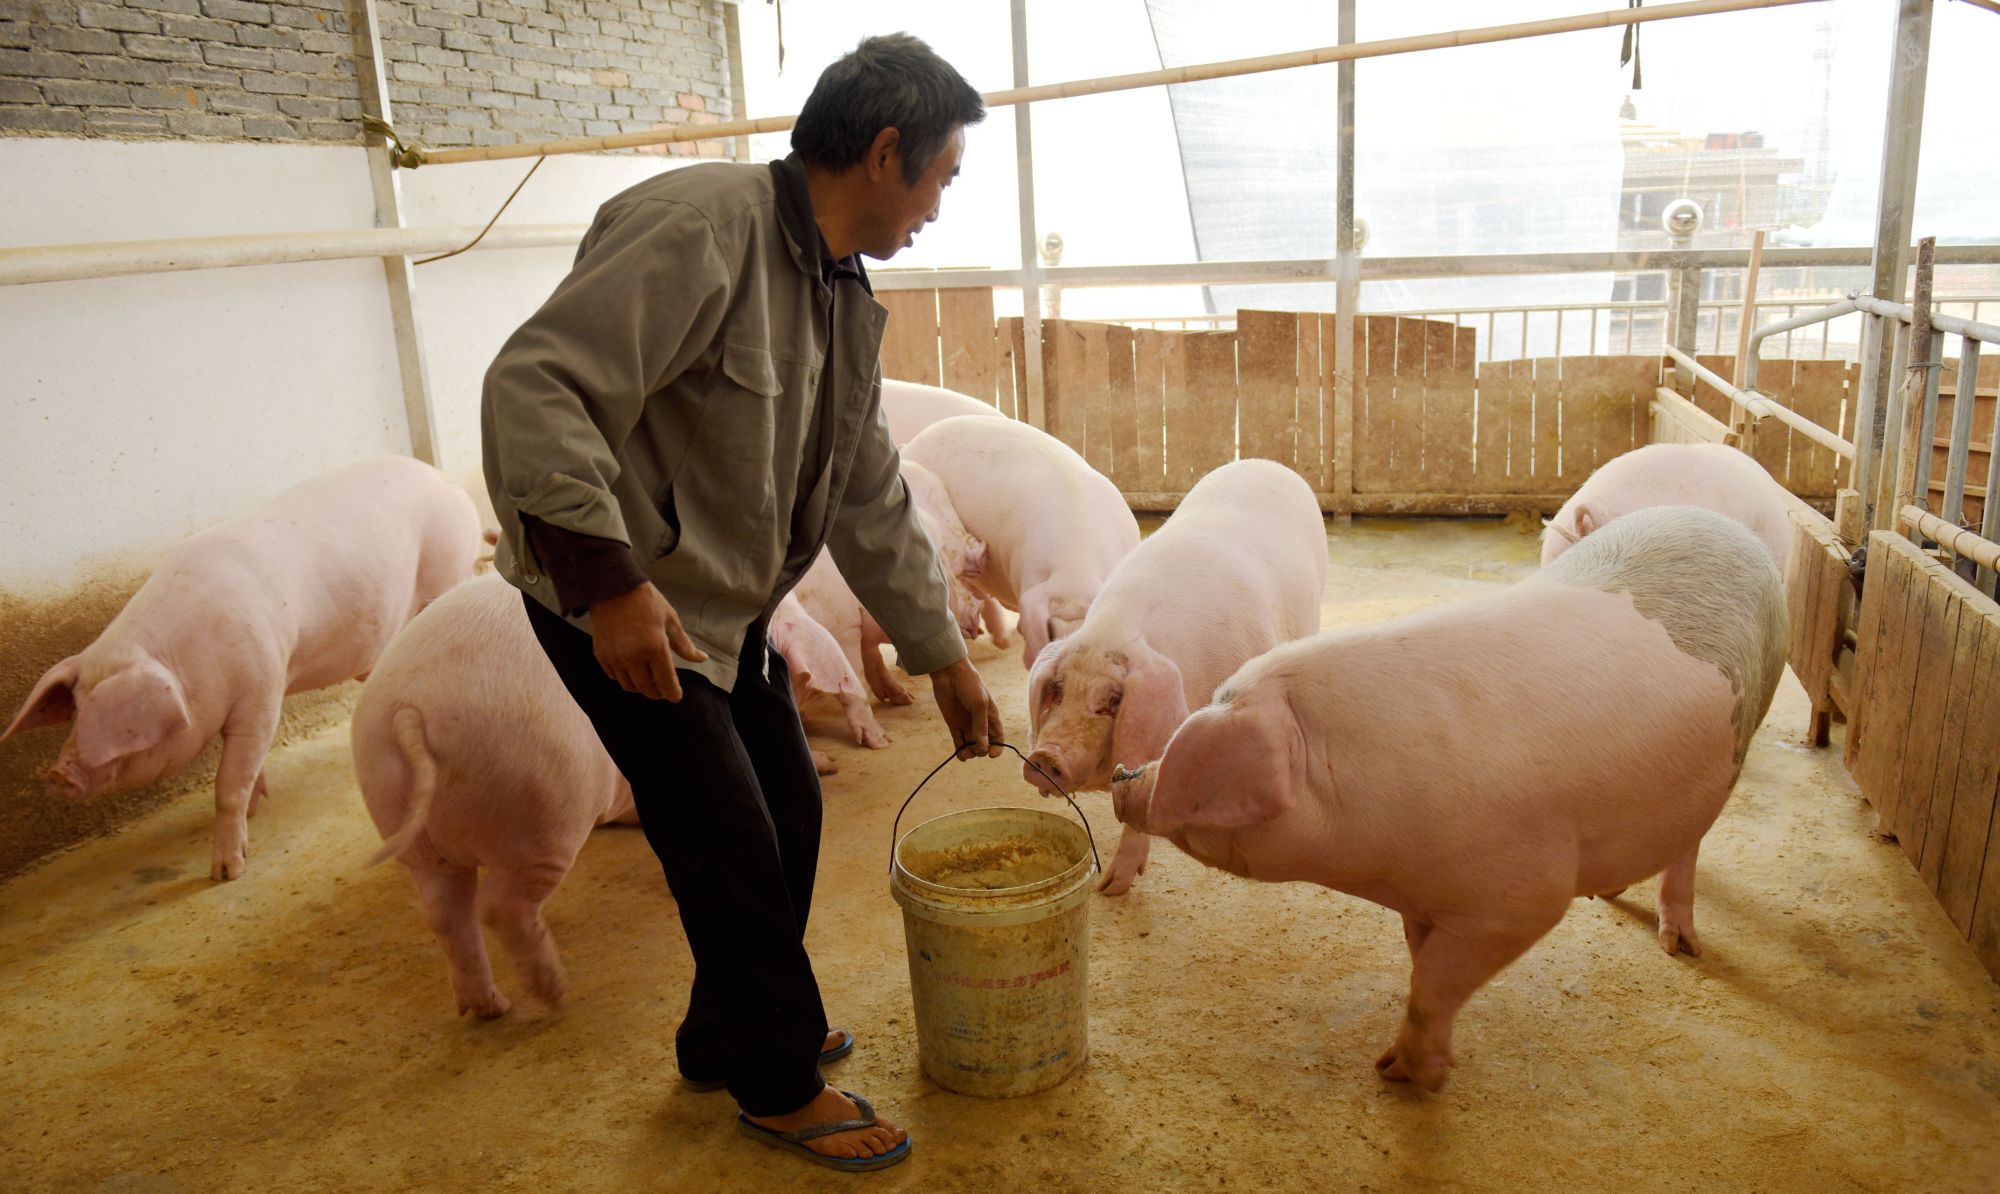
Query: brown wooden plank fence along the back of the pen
x: 1431, y: 429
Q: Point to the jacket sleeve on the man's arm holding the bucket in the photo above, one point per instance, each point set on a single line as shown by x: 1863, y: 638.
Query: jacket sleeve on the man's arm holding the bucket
x: 889, y: 561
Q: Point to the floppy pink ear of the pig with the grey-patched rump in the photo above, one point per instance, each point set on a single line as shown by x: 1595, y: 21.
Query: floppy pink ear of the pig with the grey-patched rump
x: 1229, y: 769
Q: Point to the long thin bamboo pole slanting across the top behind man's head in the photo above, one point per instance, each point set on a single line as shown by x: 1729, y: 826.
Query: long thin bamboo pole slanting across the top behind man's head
x: 1123, y: 83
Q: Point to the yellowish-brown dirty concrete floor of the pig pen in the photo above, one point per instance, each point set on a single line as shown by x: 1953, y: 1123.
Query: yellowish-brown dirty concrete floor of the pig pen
x: 295, y: 1029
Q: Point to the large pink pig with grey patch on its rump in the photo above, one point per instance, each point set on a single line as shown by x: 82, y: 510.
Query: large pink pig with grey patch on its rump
x: 1483, y: 765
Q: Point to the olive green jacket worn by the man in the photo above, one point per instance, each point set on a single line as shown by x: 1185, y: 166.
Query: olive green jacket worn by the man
x: 665, y: 395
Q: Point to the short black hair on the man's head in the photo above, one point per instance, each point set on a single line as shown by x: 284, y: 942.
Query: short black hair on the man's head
x: 885, y: 83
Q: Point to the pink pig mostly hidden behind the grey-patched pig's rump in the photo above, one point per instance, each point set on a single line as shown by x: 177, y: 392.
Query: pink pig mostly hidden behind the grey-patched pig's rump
x: 1711, y: 477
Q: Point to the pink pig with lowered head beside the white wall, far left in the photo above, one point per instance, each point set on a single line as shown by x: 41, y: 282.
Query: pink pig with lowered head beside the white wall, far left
x: 297, y: 595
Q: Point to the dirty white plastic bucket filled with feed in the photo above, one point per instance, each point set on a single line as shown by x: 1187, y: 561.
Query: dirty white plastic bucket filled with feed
x: 997, y: 919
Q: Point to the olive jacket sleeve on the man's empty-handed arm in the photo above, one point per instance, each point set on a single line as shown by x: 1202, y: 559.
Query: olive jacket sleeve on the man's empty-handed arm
x: 641, y: 305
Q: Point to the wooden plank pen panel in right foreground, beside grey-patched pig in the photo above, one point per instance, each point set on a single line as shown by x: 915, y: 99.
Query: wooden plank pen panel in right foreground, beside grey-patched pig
x: 1925, y: 733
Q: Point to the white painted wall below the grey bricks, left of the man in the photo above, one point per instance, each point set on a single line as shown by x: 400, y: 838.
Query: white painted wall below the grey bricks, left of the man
x: 137, y: 411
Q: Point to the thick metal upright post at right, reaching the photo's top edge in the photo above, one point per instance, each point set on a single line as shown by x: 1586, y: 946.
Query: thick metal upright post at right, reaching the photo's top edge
x: 1897, y: 199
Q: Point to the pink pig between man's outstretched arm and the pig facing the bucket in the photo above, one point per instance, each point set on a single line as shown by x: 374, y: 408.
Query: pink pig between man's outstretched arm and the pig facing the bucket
x: 1053, y: 527
